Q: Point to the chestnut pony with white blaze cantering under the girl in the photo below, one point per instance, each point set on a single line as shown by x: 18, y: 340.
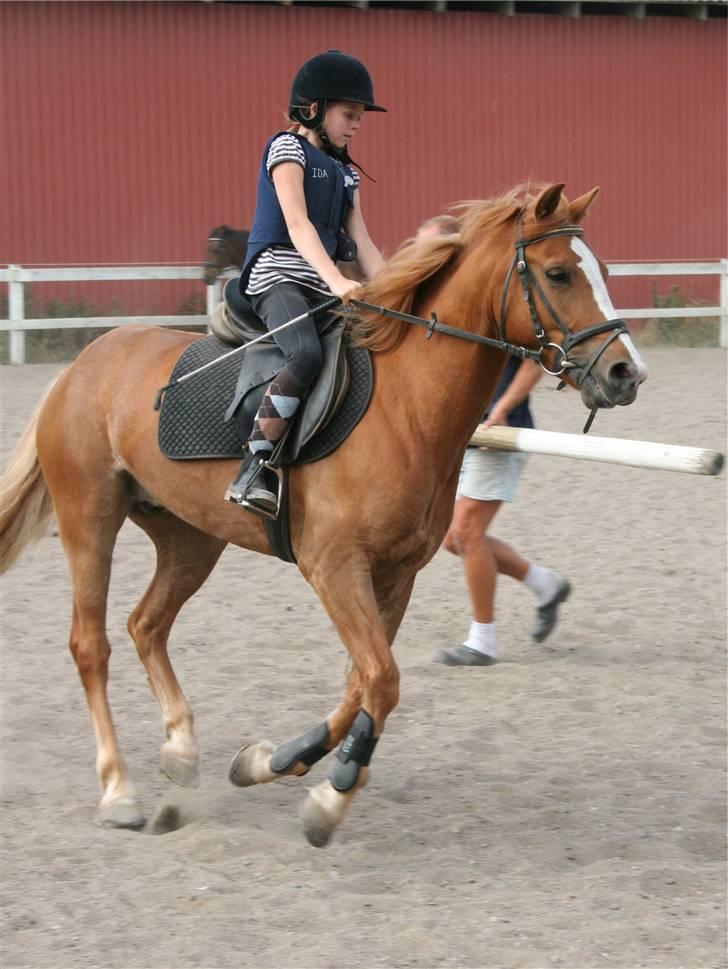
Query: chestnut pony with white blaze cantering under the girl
x: 364, y: 520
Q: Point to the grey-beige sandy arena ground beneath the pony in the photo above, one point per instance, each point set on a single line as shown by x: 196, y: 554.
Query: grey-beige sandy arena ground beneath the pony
x: 563, y: 808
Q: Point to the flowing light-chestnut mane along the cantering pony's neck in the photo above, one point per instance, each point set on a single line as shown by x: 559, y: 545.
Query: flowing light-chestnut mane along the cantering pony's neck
x: 398, y: 285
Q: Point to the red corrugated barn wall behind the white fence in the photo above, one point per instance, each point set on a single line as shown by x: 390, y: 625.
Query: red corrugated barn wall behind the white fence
x: 132, y: 128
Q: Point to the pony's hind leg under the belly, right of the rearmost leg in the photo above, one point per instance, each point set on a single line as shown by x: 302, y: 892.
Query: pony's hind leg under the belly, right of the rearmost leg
x: 185, y: 558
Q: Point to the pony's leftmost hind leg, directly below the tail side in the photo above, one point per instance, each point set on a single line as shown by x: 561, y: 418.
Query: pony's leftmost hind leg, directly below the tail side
x: 88, y: 525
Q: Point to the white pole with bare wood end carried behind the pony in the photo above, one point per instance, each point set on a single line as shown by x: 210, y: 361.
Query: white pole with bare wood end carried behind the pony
x: 613, y: 450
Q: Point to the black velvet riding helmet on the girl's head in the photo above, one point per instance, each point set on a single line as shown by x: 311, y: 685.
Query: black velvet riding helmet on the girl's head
x: 331, y: 76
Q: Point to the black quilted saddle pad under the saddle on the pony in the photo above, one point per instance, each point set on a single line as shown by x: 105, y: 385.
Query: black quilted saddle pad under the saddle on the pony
x: 191, y: 425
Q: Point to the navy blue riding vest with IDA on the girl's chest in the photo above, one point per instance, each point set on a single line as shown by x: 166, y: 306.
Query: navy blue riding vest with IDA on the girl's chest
x: 328, y: 200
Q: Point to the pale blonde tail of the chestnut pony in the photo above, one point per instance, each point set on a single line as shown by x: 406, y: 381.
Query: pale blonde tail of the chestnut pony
x: 25, y: 504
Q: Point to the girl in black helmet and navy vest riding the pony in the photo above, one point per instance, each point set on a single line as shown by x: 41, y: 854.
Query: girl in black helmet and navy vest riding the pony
x: 308, y: 192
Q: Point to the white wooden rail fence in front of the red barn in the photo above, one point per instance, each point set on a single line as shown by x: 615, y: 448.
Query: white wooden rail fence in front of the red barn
x: 17, y: 276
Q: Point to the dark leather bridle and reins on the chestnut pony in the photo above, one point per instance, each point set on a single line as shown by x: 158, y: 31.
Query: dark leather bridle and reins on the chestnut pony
x: 529, y: 283
